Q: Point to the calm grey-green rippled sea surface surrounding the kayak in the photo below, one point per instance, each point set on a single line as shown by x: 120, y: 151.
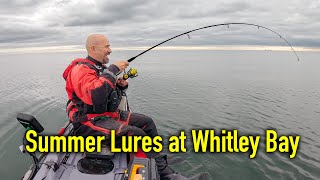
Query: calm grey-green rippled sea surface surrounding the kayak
x: 182, y: 90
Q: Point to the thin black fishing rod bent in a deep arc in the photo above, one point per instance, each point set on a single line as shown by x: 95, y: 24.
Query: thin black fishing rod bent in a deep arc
x: 215, y: 25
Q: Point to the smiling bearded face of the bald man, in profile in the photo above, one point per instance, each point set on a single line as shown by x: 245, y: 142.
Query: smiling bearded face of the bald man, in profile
x: 102, y: 51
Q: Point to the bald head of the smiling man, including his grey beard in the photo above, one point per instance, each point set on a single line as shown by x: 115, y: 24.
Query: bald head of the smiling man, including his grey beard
x: 98, y: 47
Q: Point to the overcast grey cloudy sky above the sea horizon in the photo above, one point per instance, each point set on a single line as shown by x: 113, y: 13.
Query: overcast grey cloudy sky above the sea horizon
x: 63, y: 25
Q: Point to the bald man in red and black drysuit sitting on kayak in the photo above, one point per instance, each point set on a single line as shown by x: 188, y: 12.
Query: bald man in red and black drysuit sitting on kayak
x: 94, y: 93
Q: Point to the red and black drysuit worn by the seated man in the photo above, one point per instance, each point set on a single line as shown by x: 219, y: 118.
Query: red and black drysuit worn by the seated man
x: 95, y: 97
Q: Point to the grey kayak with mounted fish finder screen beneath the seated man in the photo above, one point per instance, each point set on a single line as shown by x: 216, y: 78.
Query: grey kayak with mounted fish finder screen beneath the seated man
x: 94, y: 166
